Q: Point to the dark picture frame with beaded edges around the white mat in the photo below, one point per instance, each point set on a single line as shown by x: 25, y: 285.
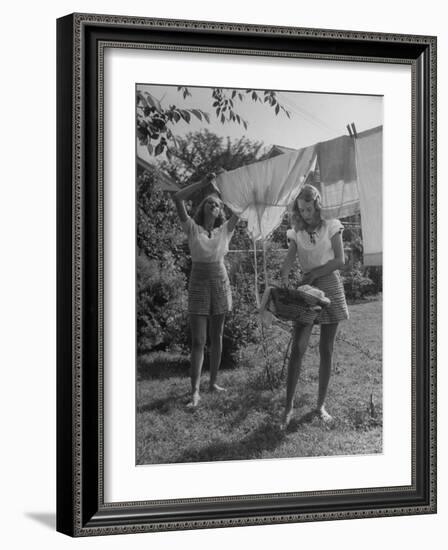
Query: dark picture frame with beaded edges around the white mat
x: 81, y: 510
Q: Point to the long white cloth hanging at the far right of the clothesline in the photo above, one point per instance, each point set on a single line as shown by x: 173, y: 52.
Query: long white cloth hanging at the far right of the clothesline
x: 369, y: 162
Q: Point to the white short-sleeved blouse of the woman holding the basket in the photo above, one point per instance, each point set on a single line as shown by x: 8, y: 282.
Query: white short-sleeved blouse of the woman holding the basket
x: 315, y: 250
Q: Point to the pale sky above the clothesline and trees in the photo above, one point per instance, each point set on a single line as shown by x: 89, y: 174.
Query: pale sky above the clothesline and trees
x: 314, y: 116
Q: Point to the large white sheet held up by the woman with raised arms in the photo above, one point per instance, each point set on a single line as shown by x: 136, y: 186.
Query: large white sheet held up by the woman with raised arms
x: 261, y: 192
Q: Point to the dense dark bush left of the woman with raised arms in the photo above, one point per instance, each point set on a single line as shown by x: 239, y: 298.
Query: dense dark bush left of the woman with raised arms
x: 161, y: 266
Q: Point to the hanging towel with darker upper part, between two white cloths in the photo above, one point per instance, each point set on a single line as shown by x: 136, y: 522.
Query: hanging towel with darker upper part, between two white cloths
x: 337, y: 166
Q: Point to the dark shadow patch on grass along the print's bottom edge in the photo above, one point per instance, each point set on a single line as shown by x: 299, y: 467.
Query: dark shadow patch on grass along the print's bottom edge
x: 265, y: 438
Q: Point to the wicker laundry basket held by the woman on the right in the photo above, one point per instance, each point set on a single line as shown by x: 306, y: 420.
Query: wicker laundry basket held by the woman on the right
x: 294, y: 305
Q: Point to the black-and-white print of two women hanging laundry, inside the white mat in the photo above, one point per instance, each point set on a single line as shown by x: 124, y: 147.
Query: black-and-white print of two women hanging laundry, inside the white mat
x: 259, y: 270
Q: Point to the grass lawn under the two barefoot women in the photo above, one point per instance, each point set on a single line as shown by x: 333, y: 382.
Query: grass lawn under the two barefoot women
x: 243, y: 422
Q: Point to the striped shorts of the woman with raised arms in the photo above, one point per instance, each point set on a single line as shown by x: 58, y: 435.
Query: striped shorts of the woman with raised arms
x: 209, y: 289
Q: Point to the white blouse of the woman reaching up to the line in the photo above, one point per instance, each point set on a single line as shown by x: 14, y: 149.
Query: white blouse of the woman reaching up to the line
x: 204, y: 248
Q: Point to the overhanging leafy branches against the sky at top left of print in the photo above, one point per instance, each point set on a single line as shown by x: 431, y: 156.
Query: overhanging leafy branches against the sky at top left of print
x: 154, y: 121
